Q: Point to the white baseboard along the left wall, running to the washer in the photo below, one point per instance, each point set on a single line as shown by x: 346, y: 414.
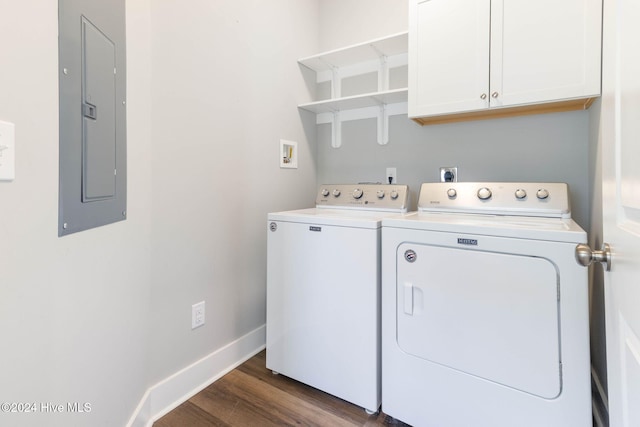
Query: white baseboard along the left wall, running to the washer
x: 179, y: 387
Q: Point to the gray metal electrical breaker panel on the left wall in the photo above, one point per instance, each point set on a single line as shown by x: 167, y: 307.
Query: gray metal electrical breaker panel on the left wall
x: 92, y: 80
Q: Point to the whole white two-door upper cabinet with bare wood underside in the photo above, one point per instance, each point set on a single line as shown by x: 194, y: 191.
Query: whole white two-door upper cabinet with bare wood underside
x: 477, y: 58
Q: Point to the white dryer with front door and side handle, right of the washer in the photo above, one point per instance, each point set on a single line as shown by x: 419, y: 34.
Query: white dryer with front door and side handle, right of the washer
x: 485, y: 309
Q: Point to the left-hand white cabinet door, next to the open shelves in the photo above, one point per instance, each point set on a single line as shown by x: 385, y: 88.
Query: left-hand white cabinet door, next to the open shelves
x: 448, y: 56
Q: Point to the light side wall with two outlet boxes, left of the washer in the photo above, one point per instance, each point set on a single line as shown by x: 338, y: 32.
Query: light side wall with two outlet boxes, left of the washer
x: 225, y: 86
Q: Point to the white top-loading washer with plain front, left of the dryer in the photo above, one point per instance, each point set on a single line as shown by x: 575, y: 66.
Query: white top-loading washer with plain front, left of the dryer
x: 323, y: 290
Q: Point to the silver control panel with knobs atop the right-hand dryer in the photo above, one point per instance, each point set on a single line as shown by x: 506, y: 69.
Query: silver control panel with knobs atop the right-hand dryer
x: 497, y: 198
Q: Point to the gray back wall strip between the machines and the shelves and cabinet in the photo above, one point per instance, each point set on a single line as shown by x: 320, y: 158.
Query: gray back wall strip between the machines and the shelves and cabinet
x: 549, y: 147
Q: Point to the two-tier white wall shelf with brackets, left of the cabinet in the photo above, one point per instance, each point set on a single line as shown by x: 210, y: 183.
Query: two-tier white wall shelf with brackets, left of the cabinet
x: 378, y: 56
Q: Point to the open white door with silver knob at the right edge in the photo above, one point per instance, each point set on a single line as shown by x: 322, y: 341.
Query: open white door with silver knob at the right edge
x: 620, y: 127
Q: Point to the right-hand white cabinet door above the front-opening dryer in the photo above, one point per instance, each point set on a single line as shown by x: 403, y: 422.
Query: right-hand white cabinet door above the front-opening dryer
x: 544, y: 50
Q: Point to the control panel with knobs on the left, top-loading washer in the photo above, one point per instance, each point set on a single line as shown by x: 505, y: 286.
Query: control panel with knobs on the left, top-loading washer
x: 382, y: 197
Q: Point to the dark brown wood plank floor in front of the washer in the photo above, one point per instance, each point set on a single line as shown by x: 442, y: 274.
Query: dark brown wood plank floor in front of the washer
x: 251, y: 395
